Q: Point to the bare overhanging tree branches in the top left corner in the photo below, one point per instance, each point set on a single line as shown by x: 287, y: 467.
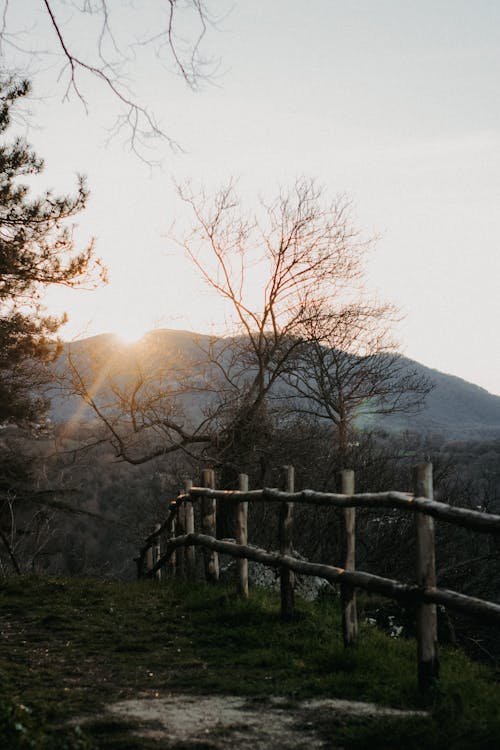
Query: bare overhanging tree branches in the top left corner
x: 175, y: 33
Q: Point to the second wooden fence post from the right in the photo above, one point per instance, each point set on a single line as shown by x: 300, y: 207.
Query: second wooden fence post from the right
x: 348, y: 546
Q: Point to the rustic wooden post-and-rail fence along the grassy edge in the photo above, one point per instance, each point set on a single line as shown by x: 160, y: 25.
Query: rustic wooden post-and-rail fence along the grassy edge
x: 178, y: 554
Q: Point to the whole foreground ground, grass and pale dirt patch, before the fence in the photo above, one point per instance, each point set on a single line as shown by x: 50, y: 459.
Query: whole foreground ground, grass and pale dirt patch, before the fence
x: 88, y: 665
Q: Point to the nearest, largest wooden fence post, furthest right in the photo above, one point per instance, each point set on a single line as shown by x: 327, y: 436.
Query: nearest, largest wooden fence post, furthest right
x: 428, y: 660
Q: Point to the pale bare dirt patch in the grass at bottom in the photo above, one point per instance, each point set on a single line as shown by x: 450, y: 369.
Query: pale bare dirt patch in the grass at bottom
x: 222, y: 722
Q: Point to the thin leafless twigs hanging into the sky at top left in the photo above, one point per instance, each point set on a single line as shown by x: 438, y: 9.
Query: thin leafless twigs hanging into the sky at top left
x: 136, y: 119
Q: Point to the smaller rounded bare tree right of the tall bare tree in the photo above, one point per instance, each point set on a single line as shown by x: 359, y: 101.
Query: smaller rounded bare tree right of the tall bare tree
x: 349, y: 369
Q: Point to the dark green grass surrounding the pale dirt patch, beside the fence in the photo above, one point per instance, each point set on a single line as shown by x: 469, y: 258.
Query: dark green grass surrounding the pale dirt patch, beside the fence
x: 69, y: 646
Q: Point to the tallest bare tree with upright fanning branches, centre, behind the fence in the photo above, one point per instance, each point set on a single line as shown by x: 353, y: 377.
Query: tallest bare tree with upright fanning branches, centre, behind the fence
x: 275, y: 270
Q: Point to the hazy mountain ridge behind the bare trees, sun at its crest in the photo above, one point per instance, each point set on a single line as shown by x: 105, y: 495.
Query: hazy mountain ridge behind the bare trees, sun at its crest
x: 456, y: 408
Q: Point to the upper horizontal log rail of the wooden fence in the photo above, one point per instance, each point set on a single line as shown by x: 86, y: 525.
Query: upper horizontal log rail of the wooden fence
x: 469, y: 519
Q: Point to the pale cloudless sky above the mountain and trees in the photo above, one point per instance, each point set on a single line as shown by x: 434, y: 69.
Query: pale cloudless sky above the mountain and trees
x: 395, y: 103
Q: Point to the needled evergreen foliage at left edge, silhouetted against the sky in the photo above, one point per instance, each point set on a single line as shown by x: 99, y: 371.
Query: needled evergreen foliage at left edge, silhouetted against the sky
x: 36, y: 251
